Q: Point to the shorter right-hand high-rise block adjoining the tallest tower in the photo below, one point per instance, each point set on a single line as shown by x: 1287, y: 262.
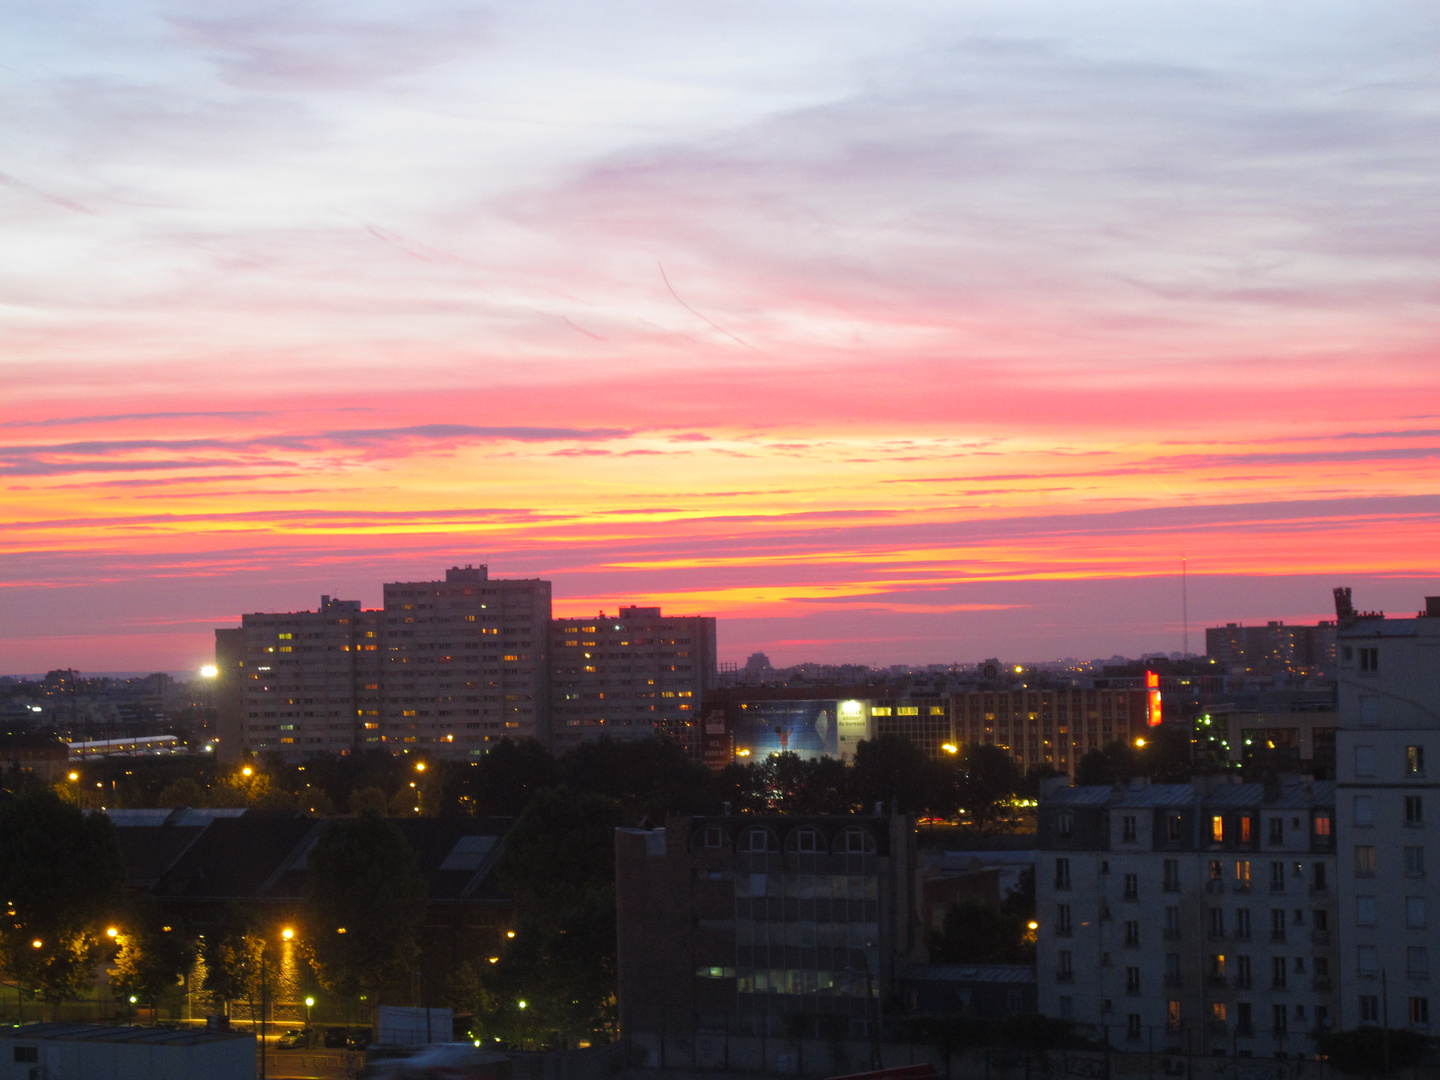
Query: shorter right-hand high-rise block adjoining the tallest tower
x: 630, y: 676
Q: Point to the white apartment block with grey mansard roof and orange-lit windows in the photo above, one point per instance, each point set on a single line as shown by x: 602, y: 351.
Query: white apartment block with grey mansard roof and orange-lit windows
x: 1190, y: 918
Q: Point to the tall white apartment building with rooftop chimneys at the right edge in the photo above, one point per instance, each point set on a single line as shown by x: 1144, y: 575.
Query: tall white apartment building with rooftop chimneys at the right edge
x: 1389, y: 810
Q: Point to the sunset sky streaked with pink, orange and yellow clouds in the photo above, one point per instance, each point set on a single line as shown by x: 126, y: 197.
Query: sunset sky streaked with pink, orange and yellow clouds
x: 883, y: 332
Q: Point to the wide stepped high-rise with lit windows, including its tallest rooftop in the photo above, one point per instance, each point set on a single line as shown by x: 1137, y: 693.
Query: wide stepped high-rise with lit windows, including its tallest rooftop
x: 444, y: 669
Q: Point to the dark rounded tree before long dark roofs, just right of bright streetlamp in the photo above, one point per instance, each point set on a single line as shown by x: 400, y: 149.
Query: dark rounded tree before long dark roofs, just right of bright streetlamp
x: 364, y: 881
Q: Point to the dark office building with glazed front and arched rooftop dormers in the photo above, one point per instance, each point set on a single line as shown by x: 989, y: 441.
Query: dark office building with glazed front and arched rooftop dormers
x: 765, y: 925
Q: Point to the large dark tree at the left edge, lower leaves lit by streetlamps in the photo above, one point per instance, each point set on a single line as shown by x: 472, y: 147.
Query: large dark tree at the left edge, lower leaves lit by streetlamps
x: 63, y: 873
